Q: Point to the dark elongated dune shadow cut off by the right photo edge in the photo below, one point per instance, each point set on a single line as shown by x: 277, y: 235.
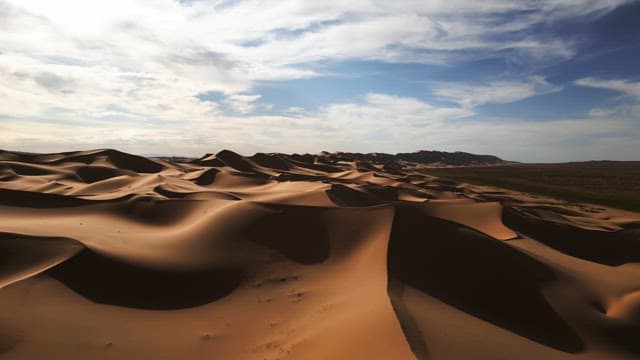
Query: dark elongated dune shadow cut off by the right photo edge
x: 609, y: 248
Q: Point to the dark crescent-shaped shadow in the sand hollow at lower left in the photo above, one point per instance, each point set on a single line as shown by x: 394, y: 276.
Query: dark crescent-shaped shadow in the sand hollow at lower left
x: 107, y: 281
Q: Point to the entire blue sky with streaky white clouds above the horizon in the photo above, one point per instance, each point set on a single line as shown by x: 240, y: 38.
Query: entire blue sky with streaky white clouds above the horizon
x: 539, y: 81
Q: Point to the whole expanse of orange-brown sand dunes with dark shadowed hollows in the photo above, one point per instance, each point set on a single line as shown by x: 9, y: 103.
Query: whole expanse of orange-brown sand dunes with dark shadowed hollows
x: 106, y: 255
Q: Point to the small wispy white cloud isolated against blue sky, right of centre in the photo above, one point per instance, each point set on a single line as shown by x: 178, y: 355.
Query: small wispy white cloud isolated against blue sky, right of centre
x: 495, y: 92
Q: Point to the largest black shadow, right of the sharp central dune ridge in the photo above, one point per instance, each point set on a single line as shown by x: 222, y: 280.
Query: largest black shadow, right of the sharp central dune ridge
x: 478, y: 275
